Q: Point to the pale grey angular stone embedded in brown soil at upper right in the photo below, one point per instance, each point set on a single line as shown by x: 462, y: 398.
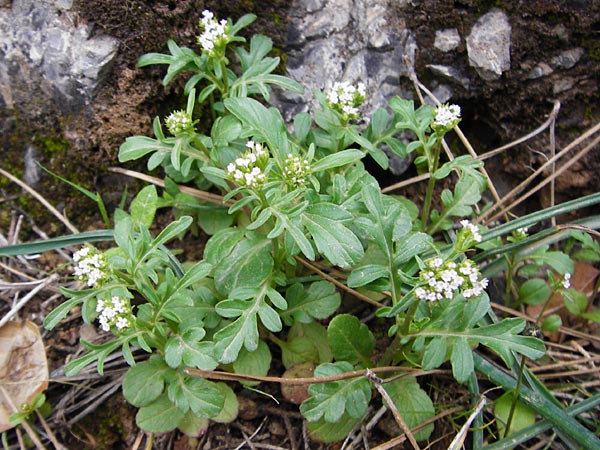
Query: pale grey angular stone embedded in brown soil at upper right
x: 488, y: 45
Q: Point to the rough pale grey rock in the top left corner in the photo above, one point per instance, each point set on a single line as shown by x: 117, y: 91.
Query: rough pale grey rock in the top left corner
x: 44, y: 53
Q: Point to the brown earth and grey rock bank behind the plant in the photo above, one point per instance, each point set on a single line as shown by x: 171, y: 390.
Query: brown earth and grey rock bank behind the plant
x: 70, y: 92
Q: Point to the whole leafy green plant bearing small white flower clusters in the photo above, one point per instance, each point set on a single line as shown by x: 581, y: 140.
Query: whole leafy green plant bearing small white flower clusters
x: 288, y: 198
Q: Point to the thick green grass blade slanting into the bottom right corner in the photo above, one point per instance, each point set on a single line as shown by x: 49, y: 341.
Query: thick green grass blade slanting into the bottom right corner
x: 556, y: 416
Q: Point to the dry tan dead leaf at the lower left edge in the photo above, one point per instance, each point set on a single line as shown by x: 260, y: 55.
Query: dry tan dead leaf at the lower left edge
x: 23, y: 368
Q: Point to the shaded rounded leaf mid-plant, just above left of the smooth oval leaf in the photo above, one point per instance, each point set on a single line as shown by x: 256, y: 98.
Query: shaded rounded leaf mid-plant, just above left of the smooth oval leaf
x: 318, y: 302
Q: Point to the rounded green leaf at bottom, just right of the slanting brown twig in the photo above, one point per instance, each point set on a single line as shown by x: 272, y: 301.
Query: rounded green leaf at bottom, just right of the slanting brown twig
x: 413, y: 404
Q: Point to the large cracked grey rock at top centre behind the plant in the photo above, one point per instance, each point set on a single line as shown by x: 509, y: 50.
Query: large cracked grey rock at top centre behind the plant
x: 346, y: 40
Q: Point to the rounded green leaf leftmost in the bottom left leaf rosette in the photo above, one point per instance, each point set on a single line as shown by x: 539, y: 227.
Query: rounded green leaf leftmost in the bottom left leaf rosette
x: 145, y: 382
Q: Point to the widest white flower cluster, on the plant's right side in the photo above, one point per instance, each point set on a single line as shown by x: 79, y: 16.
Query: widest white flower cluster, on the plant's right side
x: 445, y: 279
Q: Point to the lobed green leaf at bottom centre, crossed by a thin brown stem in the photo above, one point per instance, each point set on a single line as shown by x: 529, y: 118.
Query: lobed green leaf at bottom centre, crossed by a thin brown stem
x: 330, y: 400
